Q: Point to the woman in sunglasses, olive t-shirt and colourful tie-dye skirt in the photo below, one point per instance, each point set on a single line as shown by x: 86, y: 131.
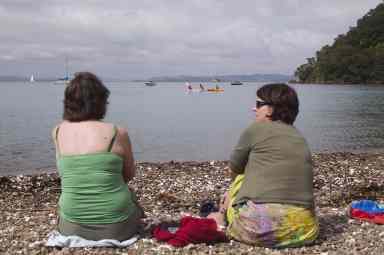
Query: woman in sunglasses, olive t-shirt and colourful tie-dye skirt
x: 270, y: 203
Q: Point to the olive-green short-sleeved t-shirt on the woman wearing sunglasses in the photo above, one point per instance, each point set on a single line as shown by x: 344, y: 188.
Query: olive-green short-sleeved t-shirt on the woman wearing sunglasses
x: 277, y: 165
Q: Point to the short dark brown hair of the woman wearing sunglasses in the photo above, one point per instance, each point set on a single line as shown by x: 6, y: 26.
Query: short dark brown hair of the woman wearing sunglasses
x: 283, y: 100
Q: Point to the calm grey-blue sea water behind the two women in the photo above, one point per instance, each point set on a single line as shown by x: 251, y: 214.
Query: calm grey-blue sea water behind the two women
x: 167, y: 123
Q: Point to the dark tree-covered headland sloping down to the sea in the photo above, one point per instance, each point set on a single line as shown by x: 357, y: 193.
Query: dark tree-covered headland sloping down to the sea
x: 355, y: 57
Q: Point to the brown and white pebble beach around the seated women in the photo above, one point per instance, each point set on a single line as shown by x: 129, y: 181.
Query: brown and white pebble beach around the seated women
x: 168, y: 190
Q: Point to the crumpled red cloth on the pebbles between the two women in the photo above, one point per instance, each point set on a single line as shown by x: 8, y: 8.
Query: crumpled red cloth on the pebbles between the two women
x: 191, y: 230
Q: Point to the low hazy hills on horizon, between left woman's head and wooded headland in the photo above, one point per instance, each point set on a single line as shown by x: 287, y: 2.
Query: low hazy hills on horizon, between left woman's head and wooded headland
x: 224, y: 78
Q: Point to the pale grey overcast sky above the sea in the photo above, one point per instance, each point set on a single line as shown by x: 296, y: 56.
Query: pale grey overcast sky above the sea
x: 138, y: 39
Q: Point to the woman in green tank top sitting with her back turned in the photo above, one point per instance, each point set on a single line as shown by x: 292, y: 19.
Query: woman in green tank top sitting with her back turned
x: 95, y: 162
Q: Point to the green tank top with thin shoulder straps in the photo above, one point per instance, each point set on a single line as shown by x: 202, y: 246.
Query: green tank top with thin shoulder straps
x: 93, y: 190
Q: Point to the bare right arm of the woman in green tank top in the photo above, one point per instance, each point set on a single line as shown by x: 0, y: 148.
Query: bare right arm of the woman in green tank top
x: 129, y: 169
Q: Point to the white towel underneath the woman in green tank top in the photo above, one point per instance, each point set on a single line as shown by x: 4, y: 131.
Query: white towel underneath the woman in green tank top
x: 58, y: 240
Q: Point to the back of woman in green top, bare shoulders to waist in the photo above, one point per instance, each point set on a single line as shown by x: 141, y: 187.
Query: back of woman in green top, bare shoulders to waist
x: 93, y: 188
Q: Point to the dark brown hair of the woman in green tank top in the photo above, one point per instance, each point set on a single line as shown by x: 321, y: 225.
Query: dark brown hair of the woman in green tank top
x: 85, y: 98
